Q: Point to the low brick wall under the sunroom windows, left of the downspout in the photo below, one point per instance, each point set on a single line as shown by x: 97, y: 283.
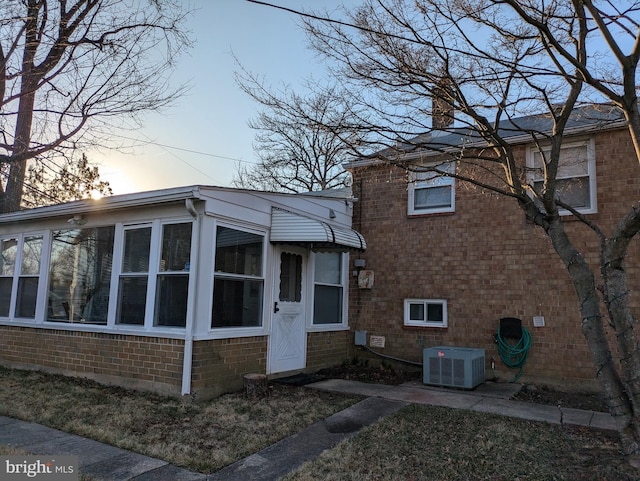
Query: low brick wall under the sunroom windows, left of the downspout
x: 135, y: 362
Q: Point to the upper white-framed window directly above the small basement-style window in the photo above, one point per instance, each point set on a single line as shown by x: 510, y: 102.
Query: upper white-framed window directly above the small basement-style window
x: 431, y: 192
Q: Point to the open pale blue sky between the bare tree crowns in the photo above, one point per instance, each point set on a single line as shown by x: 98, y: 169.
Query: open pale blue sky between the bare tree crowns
x: 200, y: 139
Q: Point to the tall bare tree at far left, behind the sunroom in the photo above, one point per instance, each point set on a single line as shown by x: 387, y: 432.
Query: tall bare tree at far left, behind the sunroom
x: 69, y: 69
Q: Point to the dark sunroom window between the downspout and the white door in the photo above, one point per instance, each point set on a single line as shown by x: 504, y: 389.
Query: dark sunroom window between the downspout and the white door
x: 238, y: 279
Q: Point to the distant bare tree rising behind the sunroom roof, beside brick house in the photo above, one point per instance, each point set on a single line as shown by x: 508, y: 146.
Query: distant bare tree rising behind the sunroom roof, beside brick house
x: 301, y: 141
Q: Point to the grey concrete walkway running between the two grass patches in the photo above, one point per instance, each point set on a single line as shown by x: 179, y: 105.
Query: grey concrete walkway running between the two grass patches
x: 104, y: 462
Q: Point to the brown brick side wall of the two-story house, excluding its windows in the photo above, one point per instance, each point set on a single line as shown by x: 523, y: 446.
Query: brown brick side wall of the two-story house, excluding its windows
x: 488, y: 262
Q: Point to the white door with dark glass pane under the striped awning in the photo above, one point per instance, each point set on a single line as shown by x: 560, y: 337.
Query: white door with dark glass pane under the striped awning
x: 288, y: 341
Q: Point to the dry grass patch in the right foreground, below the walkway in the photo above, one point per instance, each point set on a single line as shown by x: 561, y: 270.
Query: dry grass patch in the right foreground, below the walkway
x: 439, y: 444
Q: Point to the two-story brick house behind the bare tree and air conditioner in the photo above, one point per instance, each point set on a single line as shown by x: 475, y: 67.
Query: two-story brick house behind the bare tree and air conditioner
x: 449, y: 260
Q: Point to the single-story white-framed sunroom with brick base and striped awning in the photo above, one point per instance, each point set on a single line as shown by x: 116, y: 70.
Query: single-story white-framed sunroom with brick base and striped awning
x: 179, y: 291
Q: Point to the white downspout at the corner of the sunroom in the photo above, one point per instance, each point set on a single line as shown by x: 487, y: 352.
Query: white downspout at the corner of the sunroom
x: 187, y: 362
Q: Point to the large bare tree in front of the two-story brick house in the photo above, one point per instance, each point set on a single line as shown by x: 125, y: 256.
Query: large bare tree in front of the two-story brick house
x: 494, y: 61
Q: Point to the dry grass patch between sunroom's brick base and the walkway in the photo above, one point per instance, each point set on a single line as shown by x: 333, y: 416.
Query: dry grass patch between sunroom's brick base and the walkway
x: 202, y: 436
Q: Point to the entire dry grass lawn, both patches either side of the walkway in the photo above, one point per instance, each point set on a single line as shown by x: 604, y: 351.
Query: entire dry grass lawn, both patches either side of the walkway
x: 418, y: 443
